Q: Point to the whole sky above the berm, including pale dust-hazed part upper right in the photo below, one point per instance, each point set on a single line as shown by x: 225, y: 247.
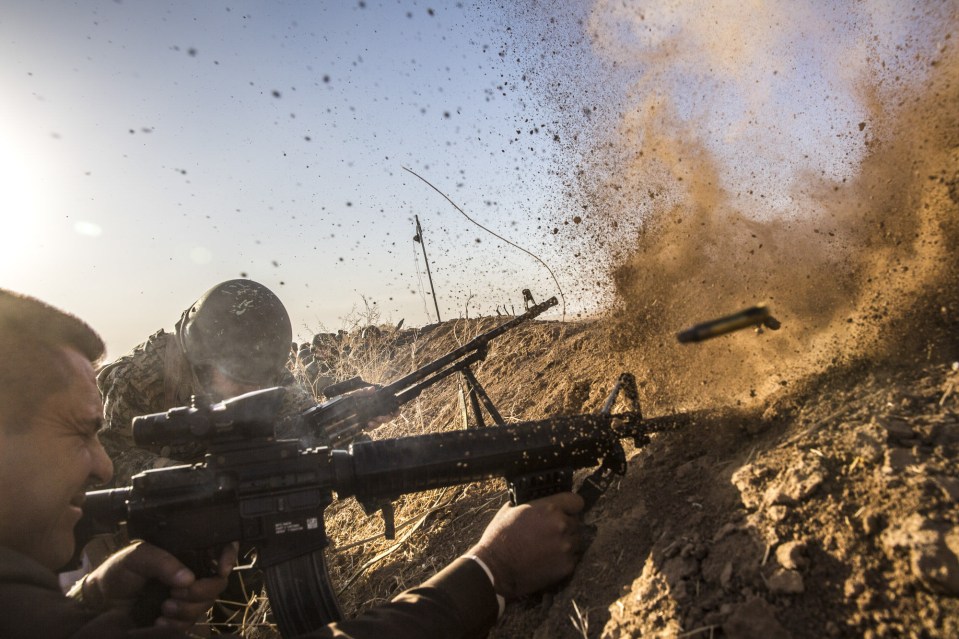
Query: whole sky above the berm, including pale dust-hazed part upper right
x: 149, y: 150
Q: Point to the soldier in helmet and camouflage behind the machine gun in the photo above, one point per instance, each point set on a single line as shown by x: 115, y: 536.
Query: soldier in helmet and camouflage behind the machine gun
x: 234, y: 339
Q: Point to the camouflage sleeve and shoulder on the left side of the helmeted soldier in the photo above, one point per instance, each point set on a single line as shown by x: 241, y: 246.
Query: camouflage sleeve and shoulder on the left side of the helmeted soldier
x: 133, y: 385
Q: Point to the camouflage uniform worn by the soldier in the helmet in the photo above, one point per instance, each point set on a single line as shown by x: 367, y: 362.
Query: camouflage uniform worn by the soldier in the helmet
x: 152, y: 379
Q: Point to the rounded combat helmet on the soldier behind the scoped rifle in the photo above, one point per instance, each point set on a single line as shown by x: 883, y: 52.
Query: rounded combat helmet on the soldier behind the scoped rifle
x: 239, y: 327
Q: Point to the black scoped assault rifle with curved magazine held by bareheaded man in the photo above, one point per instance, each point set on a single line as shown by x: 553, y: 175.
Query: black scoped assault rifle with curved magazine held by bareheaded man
x: 270, y: 494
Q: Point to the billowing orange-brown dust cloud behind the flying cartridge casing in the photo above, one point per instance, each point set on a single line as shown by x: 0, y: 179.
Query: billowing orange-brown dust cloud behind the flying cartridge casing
x: 799, y: 154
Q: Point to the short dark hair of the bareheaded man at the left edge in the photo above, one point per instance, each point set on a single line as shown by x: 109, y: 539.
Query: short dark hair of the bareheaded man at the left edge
x: 32, y: 338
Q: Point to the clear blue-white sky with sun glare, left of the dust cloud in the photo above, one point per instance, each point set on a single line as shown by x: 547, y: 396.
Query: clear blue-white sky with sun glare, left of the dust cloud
x: 149, y: 150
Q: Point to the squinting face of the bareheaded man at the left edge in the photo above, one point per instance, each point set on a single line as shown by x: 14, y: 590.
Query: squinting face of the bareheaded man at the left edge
x: 47, y: 465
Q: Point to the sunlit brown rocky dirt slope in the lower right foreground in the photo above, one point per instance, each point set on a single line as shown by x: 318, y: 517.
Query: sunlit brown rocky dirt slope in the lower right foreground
x: 833, y: 515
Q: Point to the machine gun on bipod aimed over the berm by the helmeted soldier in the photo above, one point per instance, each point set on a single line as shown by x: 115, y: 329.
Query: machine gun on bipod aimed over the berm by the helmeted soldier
x: 342, y: 418
